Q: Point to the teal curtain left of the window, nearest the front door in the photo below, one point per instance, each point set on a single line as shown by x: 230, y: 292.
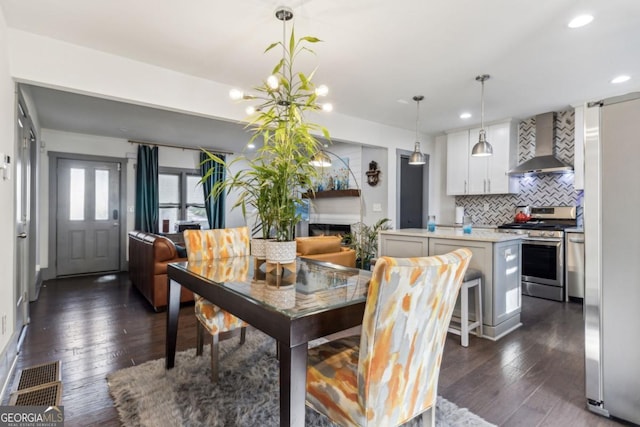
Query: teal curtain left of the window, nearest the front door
x: 147, y: 211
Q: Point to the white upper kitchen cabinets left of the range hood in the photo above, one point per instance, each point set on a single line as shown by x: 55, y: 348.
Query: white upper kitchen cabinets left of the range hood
x: 467, y: 175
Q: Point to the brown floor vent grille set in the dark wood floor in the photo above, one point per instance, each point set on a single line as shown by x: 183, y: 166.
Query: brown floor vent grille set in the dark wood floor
x: 39, y: 385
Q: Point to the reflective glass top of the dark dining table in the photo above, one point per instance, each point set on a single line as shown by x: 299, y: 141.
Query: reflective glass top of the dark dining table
x: 296, y: 289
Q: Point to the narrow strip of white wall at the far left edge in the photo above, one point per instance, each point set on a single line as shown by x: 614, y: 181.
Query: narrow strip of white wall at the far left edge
x: 7, y: 200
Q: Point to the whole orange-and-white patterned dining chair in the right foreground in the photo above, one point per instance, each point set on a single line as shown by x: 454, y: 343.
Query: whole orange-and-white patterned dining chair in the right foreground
x: 389, y: 374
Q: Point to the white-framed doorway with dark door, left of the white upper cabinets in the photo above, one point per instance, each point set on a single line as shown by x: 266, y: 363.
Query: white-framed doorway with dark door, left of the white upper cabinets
x: 413, y: 193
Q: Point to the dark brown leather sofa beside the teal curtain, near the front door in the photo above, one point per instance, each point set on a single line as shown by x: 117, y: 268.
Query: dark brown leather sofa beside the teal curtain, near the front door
x: 149, y: 255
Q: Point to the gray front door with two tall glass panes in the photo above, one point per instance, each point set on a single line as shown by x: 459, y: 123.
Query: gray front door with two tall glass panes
x: 87, y: 217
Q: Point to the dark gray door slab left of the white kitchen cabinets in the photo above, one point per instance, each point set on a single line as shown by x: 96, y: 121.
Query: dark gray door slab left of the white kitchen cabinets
x: 411, y: 189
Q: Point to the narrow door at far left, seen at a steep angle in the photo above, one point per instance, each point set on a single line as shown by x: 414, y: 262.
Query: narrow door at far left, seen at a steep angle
x: 23, y: 199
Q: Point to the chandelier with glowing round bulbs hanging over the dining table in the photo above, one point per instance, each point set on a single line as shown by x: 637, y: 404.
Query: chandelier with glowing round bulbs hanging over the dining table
x: 285, y: 92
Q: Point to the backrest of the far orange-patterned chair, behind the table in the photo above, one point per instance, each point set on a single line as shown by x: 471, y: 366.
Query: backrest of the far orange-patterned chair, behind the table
x: 203, y: 245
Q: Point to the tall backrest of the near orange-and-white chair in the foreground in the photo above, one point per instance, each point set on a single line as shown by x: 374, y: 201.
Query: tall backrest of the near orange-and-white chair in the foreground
x: 409, y: 306
